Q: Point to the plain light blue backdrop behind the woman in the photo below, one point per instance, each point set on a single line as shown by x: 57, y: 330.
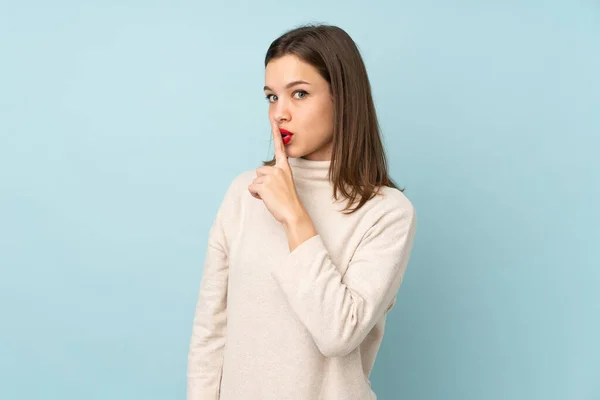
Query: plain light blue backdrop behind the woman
x: 123, y: 123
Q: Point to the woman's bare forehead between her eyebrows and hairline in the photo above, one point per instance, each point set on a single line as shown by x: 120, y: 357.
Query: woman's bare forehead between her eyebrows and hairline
x: 290, y: 68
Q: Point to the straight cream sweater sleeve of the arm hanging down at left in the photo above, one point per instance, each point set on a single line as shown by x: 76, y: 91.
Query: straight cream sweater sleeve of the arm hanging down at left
x: 205, y: 356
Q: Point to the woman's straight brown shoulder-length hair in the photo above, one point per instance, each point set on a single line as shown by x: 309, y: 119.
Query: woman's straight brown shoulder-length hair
x: 358, y: 163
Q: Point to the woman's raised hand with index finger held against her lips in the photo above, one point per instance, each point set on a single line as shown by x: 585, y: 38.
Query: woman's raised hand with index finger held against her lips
x: 275, y: 185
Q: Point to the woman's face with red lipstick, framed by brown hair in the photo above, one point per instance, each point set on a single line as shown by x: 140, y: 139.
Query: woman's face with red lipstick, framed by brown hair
x: 300, y: 101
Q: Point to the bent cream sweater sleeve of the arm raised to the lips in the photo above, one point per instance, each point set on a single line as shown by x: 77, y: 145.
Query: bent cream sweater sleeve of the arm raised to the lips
x: 339, y: 311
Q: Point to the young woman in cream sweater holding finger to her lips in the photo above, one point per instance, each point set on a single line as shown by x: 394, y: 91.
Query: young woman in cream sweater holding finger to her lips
x: 297, y: 283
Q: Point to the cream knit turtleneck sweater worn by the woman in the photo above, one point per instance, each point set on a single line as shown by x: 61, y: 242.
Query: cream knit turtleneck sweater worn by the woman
x: 275, y: 325
